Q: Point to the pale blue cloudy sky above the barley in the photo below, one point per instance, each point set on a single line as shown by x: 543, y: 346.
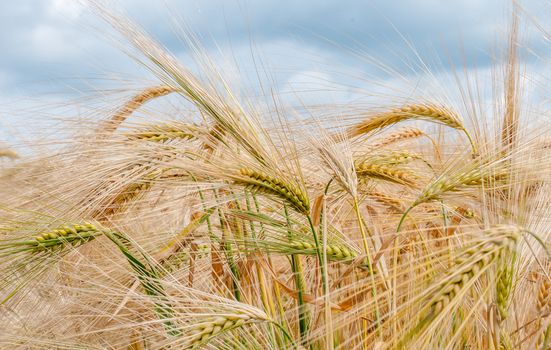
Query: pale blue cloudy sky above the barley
x: 54, y: 49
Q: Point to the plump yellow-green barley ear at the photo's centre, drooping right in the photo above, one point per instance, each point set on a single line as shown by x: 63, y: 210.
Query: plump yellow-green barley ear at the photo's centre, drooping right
x: 260, y: 182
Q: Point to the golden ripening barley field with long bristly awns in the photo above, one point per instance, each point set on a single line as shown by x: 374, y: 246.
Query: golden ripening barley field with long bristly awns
x: 213, y: 222
